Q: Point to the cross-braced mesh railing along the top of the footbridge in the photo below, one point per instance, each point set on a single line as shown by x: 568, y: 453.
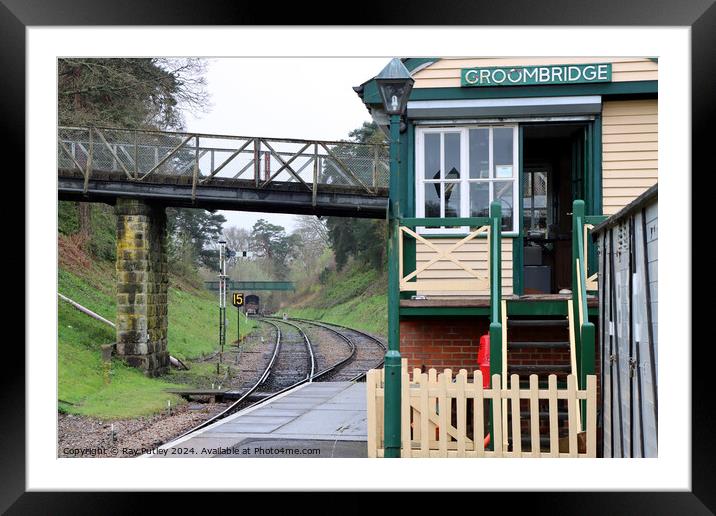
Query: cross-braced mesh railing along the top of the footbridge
x: 200, y: 159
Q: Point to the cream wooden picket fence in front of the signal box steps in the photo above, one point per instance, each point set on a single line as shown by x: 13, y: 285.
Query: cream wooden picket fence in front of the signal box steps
x: 432, y: 402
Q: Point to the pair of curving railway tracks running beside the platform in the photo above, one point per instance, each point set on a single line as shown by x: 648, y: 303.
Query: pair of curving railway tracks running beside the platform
x: 293, y: 363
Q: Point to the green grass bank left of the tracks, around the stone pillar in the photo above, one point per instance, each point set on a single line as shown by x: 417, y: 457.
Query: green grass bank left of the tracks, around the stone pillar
x: 82, y: 389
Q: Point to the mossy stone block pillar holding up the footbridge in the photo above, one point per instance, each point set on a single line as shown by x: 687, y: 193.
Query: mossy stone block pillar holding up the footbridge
x: 142, y: 283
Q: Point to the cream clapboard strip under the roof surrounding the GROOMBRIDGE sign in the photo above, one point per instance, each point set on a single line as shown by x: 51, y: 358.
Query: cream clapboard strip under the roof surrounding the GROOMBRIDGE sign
x: 445, y: 73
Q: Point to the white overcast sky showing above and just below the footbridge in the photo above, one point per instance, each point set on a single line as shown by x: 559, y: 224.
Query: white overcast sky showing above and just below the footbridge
x: 305, y: 98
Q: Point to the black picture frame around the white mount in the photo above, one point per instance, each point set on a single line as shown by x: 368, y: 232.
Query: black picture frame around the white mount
x: 17, y: 15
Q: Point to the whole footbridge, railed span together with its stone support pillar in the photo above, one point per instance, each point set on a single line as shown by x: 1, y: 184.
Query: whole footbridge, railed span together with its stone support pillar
x: 143, y: 172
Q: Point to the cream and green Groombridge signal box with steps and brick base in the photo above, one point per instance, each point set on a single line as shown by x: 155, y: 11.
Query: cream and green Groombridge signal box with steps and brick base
x: 504, y: 166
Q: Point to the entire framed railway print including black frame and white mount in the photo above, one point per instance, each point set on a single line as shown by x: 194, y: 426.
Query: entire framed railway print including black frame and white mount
x: 585, y: 125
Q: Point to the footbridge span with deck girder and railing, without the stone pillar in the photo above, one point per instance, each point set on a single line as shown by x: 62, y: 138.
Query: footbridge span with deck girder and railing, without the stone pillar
x: 214, y: 171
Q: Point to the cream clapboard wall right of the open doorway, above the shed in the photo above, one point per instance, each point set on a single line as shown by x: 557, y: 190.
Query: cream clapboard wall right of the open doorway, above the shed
x: 629, y: 151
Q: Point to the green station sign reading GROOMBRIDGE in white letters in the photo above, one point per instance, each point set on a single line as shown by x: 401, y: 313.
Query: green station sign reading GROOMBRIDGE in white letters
x: 536, y: 75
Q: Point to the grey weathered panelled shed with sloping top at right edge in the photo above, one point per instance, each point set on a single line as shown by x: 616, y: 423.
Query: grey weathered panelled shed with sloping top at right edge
x: 628, y: 297
